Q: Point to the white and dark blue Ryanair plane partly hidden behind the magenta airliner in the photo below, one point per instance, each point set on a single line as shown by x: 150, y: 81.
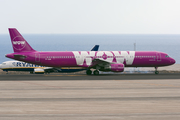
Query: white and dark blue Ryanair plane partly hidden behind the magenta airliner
x: 37, y: 69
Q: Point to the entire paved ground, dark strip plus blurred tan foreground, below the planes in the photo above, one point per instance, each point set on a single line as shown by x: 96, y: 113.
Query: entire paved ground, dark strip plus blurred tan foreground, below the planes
x: 81, y: 97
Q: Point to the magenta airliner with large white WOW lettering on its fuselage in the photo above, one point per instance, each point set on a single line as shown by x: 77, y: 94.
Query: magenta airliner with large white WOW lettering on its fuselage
x: 114, y: 61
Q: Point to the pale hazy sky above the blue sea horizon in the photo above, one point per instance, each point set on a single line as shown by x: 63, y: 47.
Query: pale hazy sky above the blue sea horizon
x: 91, y: 16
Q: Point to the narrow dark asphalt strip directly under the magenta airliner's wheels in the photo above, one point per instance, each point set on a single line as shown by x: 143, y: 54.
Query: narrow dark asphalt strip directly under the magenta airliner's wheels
x: 89, y: 77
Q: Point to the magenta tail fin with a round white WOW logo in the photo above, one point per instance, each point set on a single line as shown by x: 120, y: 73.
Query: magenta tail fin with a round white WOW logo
x: 18, y: 42
